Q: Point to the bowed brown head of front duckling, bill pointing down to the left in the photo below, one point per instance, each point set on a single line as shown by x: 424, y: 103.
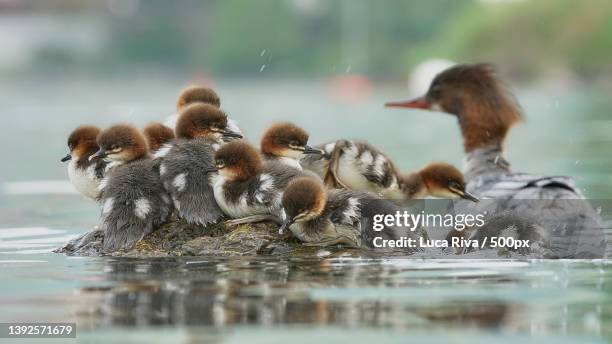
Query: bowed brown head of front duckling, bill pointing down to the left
x: 304, y: 199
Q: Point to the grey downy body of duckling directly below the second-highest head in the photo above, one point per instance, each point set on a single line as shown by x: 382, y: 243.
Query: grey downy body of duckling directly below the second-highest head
x: 183, y: 174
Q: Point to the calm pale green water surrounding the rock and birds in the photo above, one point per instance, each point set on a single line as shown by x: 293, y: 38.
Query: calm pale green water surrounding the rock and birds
x: 331, y: 297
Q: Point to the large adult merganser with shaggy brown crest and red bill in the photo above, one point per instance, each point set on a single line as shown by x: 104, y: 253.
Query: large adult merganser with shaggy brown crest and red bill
x: 486, y: 110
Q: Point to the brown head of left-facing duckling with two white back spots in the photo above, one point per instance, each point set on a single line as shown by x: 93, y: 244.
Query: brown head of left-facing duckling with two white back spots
x: 121, y: 142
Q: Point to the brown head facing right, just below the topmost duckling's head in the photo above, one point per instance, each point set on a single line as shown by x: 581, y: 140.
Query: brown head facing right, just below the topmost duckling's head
x: 203, y: 120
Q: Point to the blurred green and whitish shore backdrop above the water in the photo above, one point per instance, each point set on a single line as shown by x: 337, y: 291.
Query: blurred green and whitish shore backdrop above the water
x: 382, y: 39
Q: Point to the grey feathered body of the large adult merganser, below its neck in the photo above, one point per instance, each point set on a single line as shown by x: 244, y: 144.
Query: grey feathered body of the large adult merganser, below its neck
x: 566, y: 223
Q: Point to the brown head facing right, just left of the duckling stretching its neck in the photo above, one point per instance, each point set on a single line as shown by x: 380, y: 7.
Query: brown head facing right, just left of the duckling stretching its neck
x: 286, y: 140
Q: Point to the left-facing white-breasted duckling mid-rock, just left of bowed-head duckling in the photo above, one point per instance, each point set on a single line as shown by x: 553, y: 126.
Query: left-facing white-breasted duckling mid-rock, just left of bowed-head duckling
x: 246, y: 188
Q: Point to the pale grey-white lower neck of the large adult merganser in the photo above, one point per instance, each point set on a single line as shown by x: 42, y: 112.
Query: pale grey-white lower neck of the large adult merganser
x: 485, y: 160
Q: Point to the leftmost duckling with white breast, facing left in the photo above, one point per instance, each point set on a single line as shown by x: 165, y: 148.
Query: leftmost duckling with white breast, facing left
x: 84, y: 174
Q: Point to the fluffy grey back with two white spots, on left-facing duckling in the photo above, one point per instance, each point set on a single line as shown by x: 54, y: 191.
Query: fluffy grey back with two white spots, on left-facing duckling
x: 134, y: 204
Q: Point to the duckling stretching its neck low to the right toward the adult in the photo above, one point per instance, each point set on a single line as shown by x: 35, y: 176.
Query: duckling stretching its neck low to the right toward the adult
x: 361, y: 166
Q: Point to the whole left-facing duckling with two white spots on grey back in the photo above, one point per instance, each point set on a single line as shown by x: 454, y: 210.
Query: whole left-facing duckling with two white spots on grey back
x: 134, y: 202
